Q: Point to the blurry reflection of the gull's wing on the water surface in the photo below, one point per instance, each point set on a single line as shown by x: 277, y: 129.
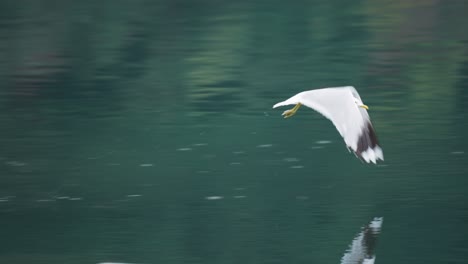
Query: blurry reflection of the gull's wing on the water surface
x: 362, y: 249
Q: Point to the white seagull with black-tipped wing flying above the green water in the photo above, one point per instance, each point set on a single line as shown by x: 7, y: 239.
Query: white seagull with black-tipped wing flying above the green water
x: 344, y: 107
